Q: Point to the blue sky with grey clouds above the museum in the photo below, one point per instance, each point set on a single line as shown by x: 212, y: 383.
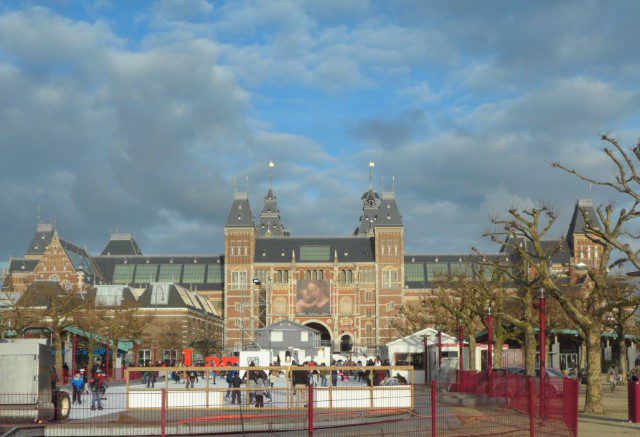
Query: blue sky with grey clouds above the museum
x: 137, y: 115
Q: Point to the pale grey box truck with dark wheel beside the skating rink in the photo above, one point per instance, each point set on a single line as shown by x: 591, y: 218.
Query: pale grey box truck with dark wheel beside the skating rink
x: 26, y: 390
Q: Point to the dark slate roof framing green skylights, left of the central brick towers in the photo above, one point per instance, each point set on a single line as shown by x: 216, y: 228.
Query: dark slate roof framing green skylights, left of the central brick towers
x: 107, y: 265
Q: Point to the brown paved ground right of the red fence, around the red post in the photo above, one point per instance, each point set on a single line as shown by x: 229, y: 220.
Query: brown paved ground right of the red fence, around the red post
x: 614, y: 421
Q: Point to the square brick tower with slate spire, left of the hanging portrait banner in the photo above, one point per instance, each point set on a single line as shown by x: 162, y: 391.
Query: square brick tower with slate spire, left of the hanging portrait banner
x: 239, y: 248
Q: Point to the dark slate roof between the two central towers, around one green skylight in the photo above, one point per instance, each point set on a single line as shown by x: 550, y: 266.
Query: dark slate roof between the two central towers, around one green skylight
x: 349, y: 249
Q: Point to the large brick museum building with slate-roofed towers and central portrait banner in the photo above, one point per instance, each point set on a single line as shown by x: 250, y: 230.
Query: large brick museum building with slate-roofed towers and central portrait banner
x: 349, y: 288
